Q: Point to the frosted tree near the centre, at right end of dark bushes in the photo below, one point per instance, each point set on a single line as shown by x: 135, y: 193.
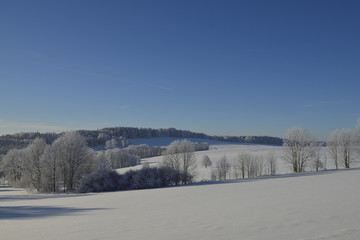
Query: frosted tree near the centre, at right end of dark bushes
x: 180, y: 157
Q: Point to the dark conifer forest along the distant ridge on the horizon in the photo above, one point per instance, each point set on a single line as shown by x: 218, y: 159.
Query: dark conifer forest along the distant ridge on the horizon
x: 100, y: 136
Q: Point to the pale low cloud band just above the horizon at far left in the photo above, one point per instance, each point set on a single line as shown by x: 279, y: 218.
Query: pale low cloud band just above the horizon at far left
x: 8, y: 127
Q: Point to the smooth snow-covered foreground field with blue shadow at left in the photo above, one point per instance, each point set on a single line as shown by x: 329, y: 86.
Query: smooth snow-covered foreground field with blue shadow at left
x: 307, y: 206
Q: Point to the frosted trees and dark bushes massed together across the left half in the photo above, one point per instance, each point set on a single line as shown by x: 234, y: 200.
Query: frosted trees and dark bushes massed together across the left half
x: 69, y: 164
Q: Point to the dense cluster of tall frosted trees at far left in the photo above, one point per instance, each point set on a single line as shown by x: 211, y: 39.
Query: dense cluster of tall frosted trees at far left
x: 44, y: 167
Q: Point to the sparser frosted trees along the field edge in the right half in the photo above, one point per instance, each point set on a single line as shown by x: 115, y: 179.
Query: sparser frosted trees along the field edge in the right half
x: 301, y: 152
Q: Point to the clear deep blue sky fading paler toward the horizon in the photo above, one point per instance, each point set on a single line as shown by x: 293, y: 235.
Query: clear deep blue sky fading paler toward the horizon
x: 218, y: 67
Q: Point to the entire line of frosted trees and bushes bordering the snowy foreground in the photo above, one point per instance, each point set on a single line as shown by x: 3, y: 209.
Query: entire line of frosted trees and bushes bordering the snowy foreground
x: 68, y: 163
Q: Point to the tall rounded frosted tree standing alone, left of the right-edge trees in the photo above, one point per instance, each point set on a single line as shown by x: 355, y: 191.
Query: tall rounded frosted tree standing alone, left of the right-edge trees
x: 298, y: 144
